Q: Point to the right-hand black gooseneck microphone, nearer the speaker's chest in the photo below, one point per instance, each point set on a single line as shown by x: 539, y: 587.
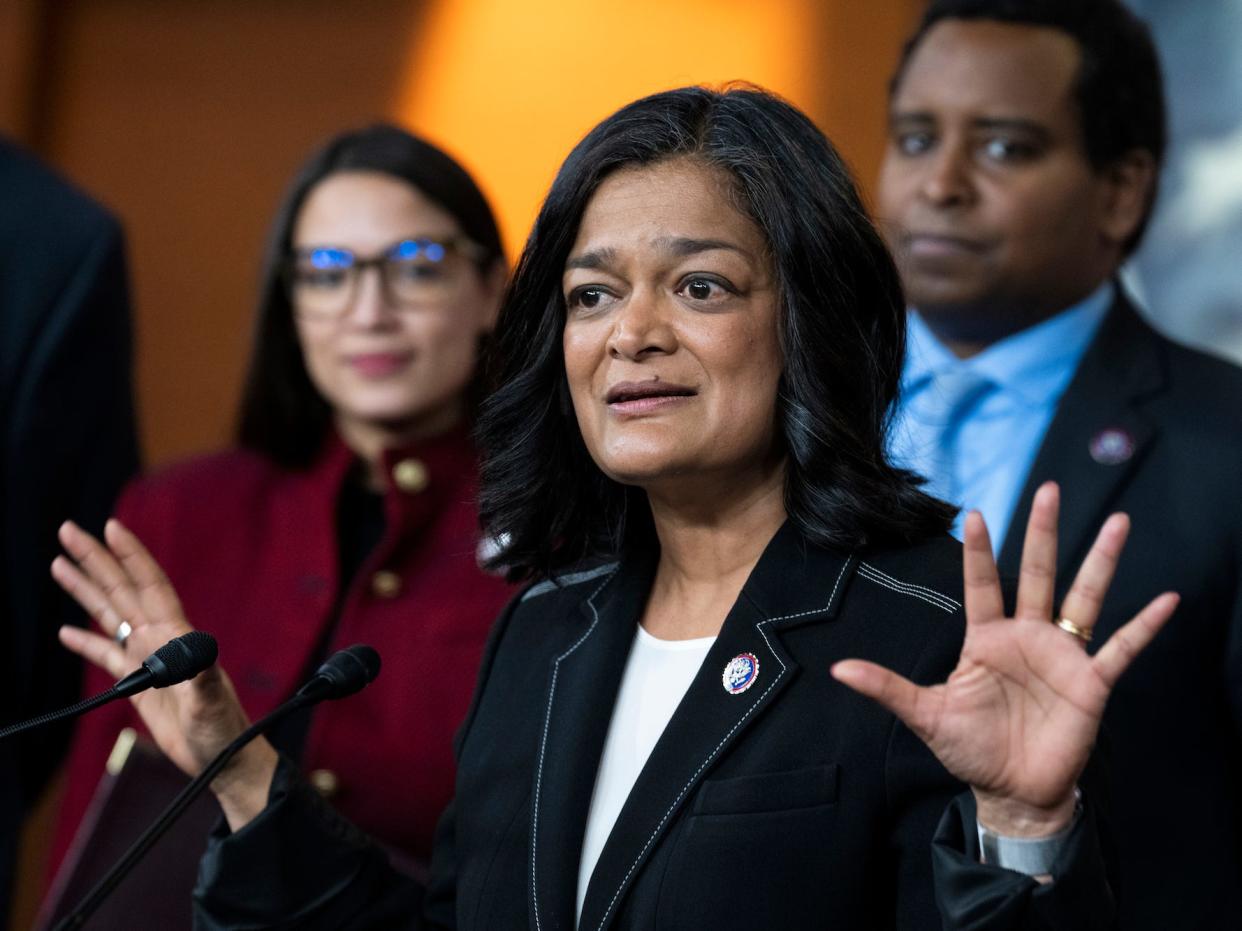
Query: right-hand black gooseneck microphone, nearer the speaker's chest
x: 345, y: 673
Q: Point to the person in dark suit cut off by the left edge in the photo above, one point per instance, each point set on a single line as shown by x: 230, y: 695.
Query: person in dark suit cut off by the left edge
x: 68, y: 444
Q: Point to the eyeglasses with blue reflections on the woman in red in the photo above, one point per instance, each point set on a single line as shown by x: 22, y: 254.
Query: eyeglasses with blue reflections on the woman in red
x: 322, y: 281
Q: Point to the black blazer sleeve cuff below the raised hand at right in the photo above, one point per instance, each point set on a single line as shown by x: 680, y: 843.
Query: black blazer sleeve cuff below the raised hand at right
x: 974, y: 896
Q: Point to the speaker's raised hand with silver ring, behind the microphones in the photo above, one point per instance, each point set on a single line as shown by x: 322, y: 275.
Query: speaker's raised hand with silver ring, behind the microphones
x: 193, y: 722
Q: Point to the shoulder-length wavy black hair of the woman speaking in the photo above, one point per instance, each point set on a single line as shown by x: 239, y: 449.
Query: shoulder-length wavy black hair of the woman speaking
x: 843, y: 331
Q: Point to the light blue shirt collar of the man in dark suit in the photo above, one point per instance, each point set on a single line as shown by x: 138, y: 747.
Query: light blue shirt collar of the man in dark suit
x: 1035, y: 364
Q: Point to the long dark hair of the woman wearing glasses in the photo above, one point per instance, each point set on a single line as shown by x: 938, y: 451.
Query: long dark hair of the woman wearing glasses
x: 284, y: 416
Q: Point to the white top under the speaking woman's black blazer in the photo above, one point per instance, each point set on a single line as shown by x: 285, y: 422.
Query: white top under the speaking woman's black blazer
x: 655, y: 681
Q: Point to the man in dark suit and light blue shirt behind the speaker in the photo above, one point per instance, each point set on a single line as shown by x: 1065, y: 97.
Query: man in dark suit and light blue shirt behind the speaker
x: 1025, y: 147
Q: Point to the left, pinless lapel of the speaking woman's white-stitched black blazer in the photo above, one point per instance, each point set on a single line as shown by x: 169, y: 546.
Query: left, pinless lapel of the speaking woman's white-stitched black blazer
x: 583, y: 686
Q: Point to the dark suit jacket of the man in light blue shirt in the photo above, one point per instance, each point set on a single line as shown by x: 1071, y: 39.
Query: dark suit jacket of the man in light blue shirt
x: 1173, y: 732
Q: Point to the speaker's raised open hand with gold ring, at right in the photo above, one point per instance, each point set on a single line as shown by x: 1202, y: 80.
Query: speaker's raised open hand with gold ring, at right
x: 1019, y: 717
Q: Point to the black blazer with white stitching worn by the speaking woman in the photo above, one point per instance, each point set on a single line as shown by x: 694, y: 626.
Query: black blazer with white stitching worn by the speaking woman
x: 793, y: 805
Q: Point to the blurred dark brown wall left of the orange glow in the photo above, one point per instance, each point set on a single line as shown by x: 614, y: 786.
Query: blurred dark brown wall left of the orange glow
x: 187, y: 119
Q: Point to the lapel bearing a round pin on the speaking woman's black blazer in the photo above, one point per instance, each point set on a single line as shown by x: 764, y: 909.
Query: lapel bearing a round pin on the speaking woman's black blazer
x: 786, y: 588
